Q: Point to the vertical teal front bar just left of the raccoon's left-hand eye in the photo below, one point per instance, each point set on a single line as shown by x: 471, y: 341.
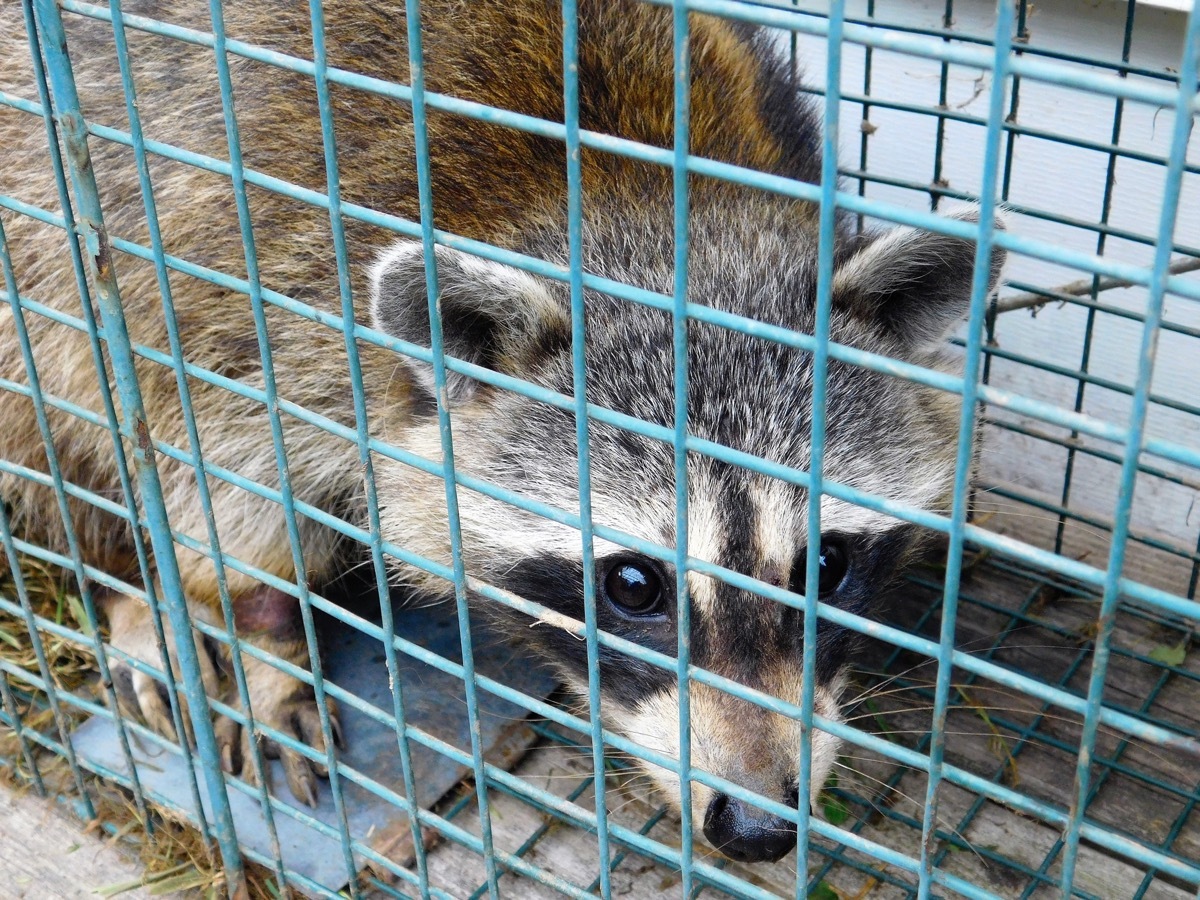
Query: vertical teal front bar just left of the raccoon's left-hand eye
x: 579, y: 361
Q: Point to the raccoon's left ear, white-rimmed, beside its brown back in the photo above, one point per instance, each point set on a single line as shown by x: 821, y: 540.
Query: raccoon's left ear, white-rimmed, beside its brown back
x: 493, y: 315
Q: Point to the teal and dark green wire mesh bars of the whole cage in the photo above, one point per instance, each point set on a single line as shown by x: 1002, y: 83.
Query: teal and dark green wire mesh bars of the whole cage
x: 1013, y: 58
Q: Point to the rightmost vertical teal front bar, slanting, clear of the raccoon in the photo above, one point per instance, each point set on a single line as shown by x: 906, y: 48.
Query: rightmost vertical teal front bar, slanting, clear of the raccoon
x: 1173, y: 185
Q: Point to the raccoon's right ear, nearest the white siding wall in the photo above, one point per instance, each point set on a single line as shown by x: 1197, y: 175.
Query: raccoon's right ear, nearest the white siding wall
x: 916, y: 284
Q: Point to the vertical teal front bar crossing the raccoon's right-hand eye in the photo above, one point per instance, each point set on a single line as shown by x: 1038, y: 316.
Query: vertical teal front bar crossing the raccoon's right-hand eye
x: 827, y: 237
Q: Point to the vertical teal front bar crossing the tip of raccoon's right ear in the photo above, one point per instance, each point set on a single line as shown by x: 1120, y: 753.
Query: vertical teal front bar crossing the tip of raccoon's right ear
x: 965, y: 457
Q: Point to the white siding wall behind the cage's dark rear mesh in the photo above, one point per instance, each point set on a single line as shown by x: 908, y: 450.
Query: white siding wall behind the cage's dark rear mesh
x: 1058, y: 179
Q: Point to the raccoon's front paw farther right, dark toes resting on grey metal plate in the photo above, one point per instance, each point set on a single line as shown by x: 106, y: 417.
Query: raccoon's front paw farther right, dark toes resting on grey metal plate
x: 289, y: 706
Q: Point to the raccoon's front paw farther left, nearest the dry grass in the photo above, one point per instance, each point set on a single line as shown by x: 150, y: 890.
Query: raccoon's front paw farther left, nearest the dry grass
x: 141, y: 695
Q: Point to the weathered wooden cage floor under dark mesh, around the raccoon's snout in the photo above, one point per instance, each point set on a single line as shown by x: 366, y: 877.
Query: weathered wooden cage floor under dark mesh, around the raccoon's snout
x: 999, y: 735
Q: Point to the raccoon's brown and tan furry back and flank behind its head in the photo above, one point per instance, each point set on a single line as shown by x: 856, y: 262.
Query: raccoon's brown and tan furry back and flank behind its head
x: 490, y: 183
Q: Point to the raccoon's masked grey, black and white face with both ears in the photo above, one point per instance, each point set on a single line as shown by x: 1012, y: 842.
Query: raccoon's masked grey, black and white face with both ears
x: 897, y: 295
